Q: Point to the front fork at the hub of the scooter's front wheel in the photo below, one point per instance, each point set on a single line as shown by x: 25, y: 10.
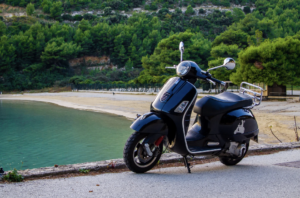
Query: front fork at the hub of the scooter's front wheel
x: 155, y: 139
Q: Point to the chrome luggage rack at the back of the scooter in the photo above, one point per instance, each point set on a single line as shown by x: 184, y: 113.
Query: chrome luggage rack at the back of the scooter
x: 256, y: 96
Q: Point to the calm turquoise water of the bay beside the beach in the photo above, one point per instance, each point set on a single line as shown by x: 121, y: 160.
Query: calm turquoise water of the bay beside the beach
x: 36, y: 134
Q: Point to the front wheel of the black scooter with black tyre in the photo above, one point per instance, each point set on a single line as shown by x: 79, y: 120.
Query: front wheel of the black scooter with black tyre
x: 136, y: 157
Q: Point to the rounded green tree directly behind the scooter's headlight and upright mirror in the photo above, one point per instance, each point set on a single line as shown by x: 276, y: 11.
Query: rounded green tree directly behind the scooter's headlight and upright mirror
x: 166, y: 53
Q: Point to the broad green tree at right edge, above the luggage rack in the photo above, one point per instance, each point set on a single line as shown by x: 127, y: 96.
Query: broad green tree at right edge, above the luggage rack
x: 271, y: 62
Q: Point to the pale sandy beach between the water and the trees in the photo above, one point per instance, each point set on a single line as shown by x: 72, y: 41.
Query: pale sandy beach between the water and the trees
x: 279, y: 115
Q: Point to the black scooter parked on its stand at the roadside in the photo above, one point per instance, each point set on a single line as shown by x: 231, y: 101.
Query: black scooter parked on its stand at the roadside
x: 223, y: 126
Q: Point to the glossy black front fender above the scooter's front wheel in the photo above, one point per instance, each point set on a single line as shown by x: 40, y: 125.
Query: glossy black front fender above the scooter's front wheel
x: 151, y: 123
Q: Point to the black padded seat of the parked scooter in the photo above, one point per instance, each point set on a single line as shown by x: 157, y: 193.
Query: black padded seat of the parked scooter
x: 221, y: 103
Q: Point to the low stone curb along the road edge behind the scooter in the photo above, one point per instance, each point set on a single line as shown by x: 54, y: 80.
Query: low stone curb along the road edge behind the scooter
x: 119, y: 163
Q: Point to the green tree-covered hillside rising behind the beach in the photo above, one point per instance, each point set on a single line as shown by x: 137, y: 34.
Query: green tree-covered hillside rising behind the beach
x: 37, y: 47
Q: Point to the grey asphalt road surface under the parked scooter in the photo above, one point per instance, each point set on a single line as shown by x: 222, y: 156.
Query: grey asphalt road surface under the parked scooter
x: 256, y: 176
